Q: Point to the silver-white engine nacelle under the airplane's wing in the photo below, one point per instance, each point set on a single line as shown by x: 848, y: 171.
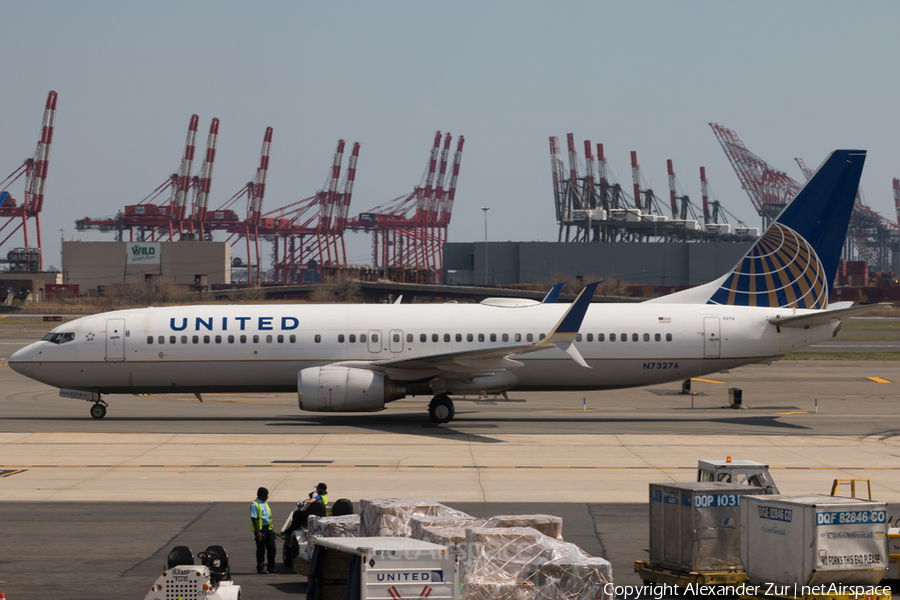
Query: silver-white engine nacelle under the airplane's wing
x: 342, y: 389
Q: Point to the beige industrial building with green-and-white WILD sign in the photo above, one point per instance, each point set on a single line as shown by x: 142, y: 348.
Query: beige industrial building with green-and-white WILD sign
x: 91, y: 265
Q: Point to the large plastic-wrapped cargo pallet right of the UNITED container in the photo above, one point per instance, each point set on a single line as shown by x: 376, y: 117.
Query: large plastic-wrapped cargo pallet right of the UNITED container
x: 519, y: 563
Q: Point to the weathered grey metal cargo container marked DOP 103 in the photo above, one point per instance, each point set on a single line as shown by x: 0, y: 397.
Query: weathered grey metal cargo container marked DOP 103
x: 696, y: 526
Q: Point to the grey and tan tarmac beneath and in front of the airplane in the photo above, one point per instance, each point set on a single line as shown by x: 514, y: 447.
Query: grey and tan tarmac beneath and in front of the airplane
x: 90, y: 508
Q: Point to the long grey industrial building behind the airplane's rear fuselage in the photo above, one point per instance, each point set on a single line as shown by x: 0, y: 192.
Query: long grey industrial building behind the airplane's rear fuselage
x: 664, y: 264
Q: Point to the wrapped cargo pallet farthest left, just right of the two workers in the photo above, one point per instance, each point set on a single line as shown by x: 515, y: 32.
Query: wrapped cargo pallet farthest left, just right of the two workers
x: 390, y: 517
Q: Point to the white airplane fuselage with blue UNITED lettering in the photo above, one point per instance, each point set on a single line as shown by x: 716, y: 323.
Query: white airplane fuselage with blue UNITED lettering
x: 263, y: 347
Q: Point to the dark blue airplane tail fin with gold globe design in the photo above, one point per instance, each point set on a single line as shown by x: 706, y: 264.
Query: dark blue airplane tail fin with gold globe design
x: 794, y: 263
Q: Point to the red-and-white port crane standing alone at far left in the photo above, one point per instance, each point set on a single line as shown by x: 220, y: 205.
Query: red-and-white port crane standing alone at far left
x: 35, y: 171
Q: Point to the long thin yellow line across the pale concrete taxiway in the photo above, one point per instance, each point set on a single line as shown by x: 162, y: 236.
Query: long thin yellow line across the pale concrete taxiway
x: 15, y: 469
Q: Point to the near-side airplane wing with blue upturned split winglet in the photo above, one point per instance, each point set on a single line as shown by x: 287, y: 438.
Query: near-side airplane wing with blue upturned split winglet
x: 491, y: 359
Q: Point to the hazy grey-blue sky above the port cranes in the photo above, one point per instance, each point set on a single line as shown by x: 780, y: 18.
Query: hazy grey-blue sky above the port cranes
x: 792, y: 79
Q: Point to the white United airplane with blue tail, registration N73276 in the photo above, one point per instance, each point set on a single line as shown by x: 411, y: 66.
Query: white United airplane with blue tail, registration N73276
x: 357, y: 358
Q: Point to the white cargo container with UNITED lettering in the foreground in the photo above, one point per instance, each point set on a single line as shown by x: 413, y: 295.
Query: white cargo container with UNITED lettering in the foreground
x: 384, y: 567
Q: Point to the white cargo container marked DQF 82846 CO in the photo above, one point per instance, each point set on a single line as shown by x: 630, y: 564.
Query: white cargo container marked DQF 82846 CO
x: 813, y: 540
